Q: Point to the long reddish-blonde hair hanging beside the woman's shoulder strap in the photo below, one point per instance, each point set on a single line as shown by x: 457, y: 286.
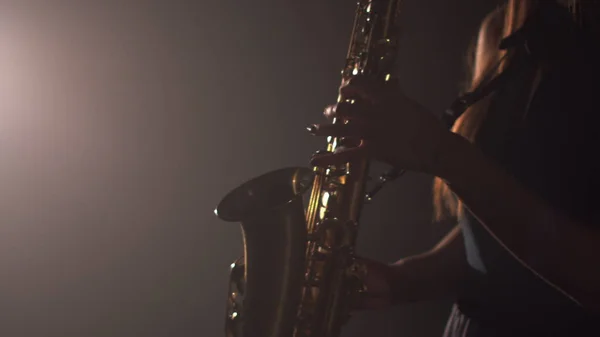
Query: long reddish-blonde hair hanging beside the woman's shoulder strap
x: 483, y: 55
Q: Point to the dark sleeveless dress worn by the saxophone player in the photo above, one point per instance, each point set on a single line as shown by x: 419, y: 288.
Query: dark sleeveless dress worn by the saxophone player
x: 549, y: 144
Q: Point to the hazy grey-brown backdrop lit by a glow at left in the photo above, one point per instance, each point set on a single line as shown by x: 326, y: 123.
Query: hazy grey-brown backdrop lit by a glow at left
x: 123, y: 123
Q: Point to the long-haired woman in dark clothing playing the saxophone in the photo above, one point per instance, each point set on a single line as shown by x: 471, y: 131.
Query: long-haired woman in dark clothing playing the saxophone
x: 517, y: 169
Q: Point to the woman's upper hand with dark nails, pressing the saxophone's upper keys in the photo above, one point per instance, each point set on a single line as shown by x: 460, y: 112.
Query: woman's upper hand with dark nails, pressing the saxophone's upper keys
x: 387, y: 125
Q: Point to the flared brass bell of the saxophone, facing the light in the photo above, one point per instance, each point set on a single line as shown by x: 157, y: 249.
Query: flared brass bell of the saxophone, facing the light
x: 265, y: 284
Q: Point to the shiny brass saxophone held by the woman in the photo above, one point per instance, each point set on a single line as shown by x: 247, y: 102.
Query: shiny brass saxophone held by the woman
x: 299, y: 275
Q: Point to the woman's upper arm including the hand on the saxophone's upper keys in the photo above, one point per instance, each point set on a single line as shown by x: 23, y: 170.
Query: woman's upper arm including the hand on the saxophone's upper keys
x: 400, y: 132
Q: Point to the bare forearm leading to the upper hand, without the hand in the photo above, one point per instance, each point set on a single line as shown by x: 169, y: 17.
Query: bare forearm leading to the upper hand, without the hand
x: 555, y: 246
